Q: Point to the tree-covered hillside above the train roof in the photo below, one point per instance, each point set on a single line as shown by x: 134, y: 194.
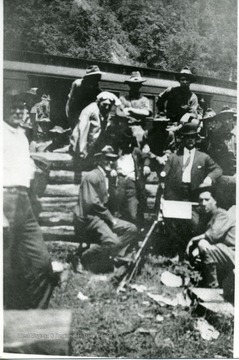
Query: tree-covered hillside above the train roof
x: 164, y: 34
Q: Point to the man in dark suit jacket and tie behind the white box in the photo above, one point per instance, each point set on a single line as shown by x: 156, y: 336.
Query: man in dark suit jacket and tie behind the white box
x: 184, y: 171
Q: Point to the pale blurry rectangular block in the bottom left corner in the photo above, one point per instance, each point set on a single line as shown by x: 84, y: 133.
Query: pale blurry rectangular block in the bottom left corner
x: 42, y: 332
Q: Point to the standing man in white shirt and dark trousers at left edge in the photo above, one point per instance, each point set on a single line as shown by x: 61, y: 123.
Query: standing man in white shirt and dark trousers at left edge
x: 28, y: 274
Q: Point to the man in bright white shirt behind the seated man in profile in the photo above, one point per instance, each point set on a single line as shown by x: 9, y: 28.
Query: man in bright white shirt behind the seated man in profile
x: 132, y: 169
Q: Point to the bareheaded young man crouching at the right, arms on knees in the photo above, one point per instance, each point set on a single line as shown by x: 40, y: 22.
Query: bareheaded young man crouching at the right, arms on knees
x: 214, y: 247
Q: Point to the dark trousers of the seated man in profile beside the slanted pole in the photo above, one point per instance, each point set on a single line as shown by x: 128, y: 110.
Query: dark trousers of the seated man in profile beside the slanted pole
x: 106, y: 242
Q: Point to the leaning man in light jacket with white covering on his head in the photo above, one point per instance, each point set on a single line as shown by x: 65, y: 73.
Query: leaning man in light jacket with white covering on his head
x: 88, y: 136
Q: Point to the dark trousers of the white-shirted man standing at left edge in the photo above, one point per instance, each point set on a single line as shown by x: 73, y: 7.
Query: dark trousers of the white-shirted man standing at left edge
x: 28, y: 277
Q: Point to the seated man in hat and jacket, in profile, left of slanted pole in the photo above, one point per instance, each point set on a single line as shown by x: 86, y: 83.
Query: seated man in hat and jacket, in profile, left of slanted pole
x: 108, y: 238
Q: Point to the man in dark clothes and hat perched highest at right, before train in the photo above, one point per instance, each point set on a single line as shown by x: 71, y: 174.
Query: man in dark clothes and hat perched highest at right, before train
x: 179, y: 101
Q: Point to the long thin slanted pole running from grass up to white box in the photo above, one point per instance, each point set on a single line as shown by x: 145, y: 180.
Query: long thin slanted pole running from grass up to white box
x: 139, y: 255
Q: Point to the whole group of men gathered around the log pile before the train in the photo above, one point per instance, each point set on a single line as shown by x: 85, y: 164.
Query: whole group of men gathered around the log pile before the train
x: 113, y: 153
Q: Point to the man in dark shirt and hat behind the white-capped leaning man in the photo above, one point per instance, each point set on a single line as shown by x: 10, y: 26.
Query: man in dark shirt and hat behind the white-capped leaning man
x: 82, y: 93
